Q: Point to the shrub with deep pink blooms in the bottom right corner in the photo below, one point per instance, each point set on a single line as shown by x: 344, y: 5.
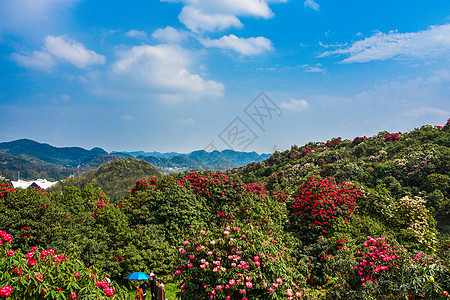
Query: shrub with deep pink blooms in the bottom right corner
x: 380, y: 270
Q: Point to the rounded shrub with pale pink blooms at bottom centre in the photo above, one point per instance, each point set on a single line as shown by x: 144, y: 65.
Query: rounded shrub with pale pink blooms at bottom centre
x: 238, y: 262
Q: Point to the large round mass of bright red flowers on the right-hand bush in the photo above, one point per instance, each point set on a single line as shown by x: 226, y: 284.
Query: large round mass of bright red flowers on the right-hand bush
x: 322, y: 200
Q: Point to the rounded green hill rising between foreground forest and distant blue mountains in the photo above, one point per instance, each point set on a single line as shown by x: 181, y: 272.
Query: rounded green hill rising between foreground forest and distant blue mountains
x: 114, y: 178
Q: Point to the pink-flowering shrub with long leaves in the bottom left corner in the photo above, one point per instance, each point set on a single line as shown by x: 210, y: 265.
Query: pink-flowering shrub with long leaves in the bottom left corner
x: 44, y: 274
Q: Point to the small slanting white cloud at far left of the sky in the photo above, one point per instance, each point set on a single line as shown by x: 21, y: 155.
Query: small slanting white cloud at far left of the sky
x: 72, y: 51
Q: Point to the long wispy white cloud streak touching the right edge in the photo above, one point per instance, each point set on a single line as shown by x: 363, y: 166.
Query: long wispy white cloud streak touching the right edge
x: 434, y: 41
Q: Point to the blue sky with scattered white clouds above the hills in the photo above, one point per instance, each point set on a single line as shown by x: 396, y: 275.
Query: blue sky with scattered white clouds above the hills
x: 250, y: 75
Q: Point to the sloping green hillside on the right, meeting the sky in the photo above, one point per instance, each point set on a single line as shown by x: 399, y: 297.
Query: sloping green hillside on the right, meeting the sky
x: 415, y: 163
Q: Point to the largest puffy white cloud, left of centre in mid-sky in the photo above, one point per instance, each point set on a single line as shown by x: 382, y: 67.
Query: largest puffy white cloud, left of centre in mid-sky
x: 162, y: 72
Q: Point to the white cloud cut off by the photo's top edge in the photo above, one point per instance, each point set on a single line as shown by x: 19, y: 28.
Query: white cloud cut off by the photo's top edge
x: 212, y: 15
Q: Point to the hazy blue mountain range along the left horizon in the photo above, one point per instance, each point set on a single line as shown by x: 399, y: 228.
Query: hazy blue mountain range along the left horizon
x: 30, y: 159
